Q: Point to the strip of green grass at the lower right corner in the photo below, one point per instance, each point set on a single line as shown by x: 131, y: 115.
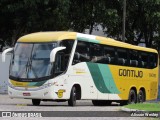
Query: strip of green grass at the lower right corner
x: 144, y: 106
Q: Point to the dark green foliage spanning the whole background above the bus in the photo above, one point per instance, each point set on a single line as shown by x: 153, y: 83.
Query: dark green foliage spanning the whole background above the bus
x: 19, y: 17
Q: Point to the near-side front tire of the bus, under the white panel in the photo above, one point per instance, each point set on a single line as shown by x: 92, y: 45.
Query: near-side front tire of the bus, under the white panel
x: 72, y: 100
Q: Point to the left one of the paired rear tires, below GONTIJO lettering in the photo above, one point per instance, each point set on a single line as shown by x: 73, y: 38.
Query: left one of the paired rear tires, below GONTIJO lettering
x: 132, y: 97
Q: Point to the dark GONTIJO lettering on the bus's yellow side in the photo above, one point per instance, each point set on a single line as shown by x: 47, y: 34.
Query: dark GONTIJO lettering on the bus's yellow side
x: 130, y: 73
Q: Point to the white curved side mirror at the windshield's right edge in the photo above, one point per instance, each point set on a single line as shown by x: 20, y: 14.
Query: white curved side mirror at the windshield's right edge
x: 53, y: 53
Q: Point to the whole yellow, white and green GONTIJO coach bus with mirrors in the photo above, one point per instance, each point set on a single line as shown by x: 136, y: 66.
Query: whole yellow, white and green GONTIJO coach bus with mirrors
x: 70, y: 66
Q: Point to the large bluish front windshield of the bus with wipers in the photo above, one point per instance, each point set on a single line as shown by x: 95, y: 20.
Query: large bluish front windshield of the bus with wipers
x: 32, y: 60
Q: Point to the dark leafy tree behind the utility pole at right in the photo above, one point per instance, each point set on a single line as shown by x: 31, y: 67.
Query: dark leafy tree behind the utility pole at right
x: 142, y: 21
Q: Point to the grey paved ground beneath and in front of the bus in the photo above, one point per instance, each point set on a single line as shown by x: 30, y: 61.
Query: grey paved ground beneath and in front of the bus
x: 83, y: 110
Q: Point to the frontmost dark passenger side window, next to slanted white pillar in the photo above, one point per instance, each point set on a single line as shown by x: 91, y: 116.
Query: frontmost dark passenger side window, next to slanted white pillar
x: 81, y: 53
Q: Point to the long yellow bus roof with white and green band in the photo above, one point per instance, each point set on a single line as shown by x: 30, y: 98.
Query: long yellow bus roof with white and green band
x: 57, y: 36
